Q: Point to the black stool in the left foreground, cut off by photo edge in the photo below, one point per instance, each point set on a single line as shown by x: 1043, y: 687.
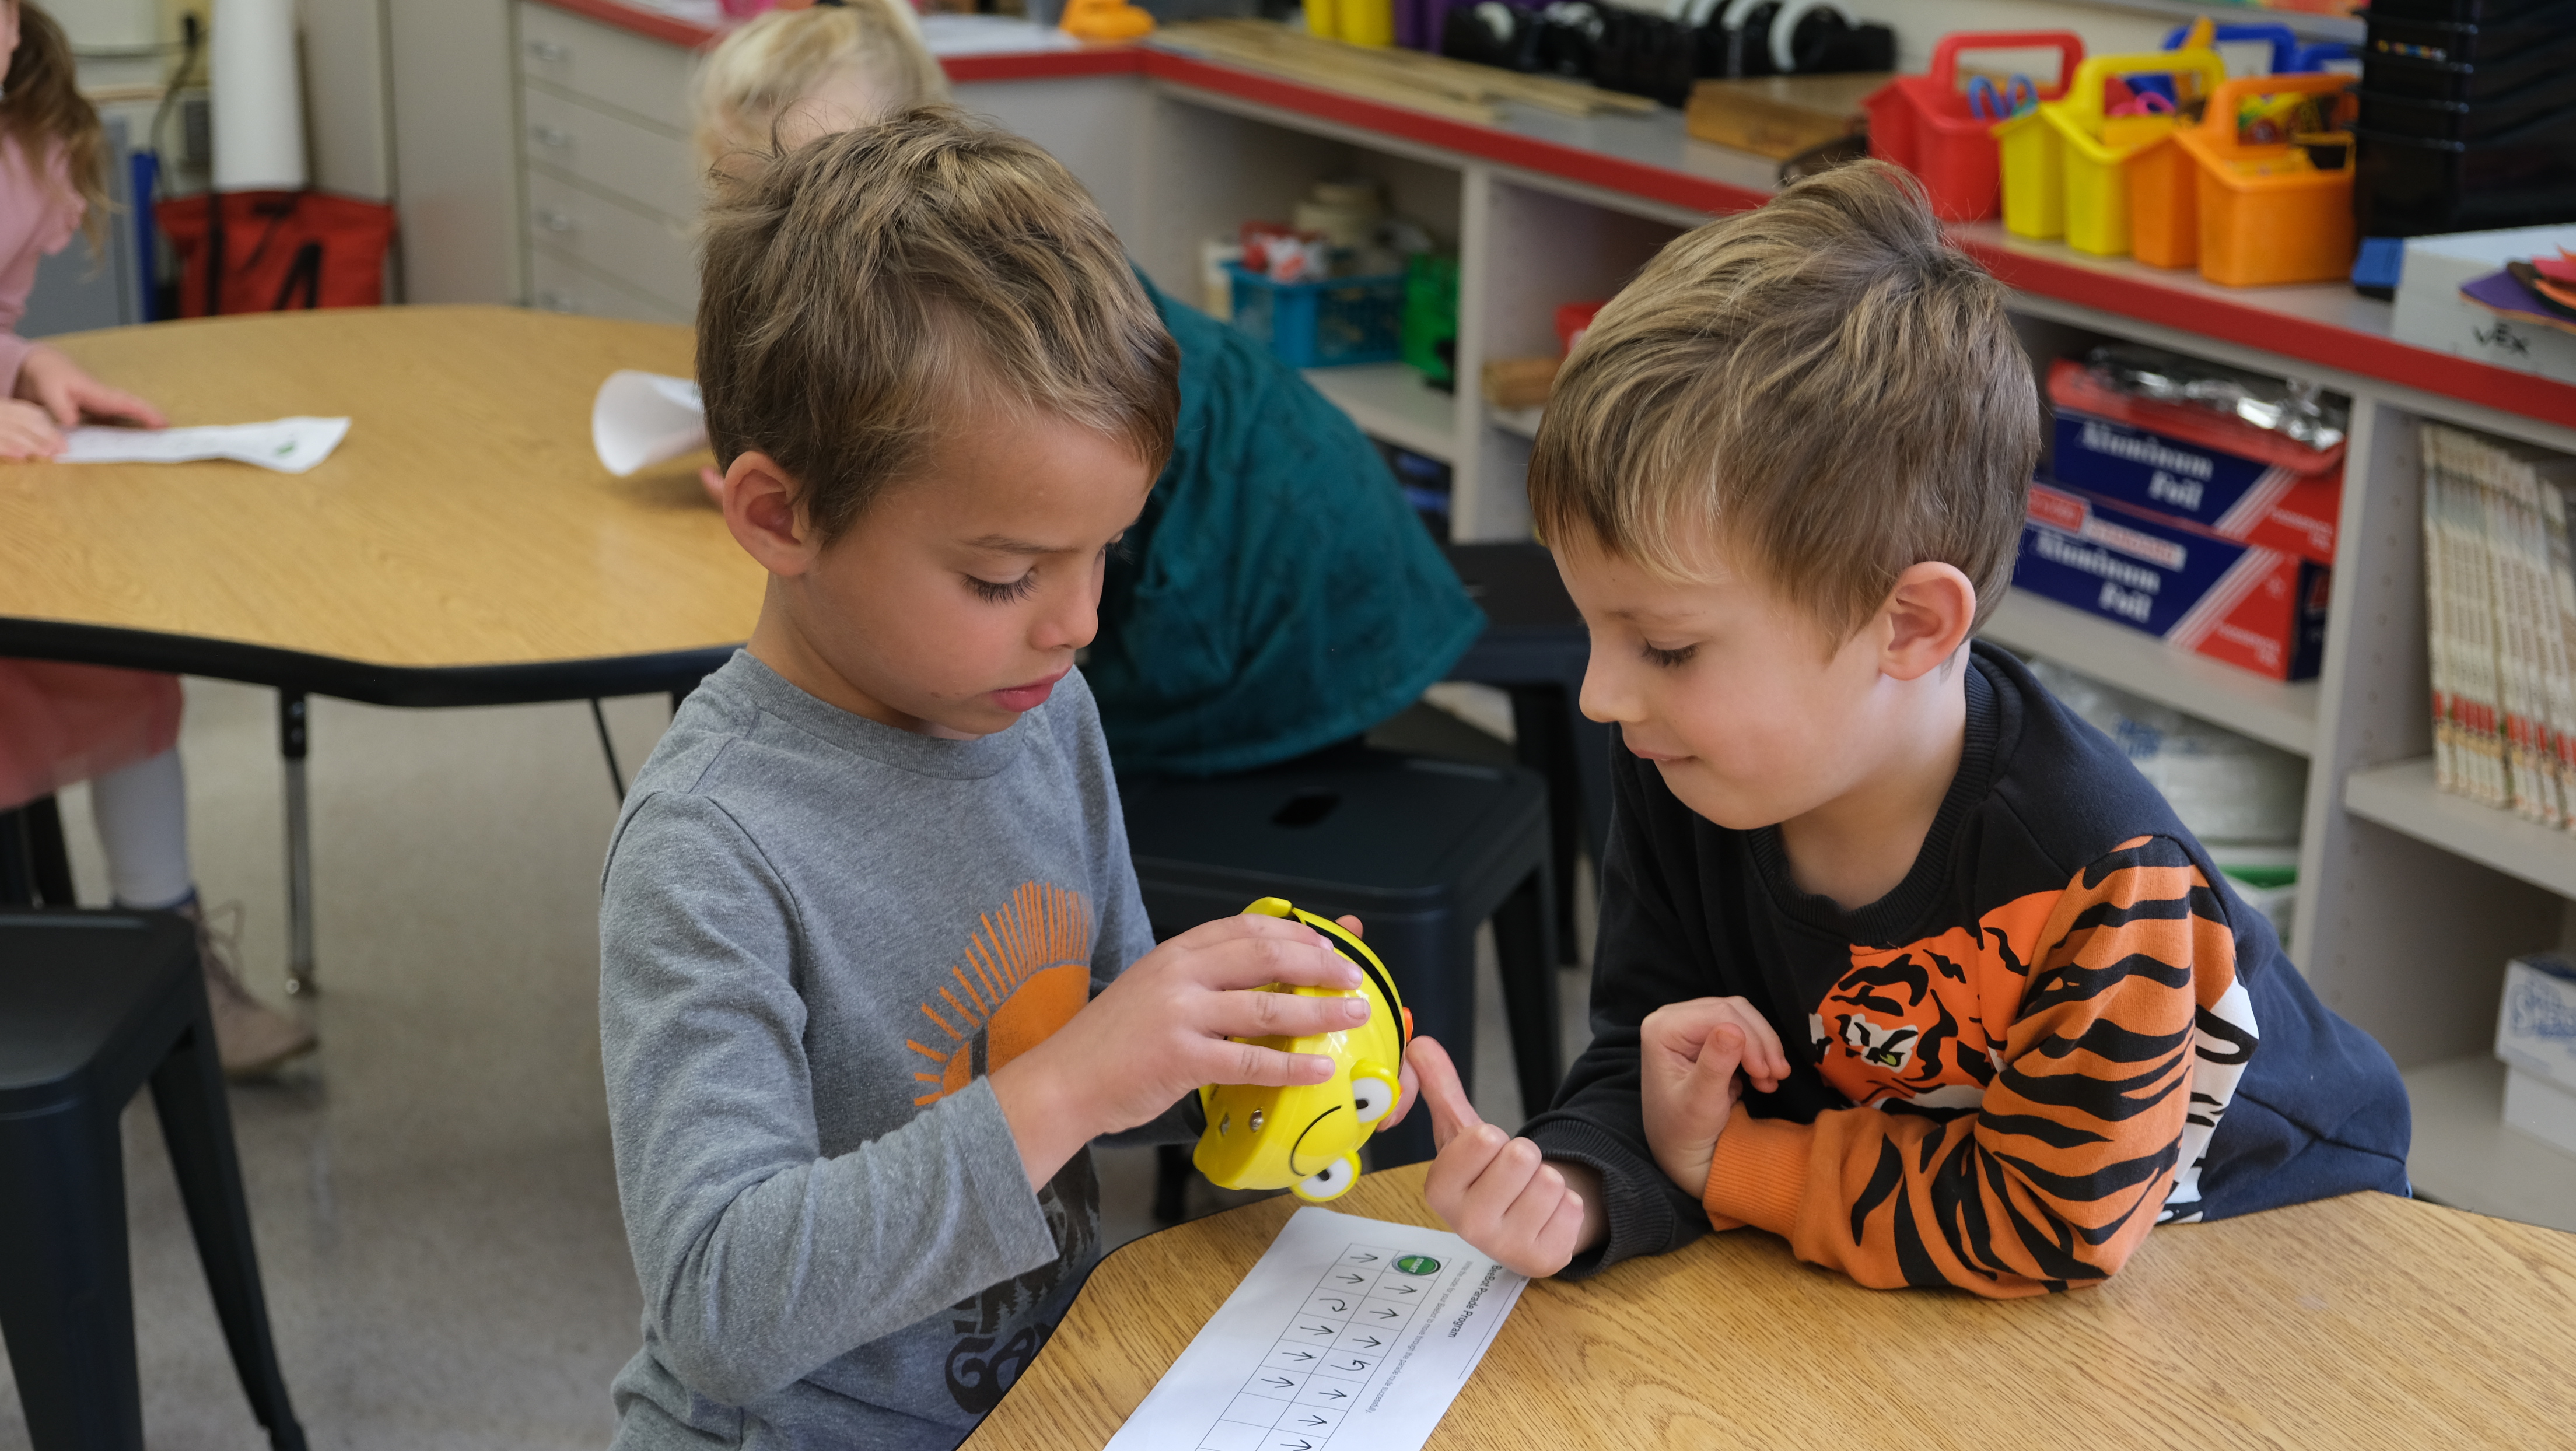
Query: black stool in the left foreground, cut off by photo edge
x: 91, y: 1009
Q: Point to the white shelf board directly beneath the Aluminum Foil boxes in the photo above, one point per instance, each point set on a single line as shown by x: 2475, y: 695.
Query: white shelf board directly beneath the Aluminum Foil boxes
x: 2222, y: 695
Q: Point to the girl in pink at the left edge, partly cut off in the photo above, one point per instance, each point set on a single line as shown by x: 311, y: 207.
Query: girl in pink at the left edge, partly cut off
x: 84, y: 723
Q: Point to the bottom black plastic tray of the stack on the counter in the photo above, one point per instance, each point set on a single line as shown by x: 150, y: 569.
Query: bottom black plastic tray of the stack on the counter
x: 2412, y: 187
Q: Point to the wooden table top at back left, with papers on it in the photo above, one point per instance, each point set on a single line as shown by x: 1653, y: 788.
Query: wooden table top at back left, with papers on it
x: 462, y: 524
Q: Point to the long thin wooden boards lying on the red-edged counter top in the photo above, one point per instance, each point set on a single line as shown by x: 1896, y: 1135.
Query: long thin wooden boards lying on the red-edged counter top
x: 1390, y: 73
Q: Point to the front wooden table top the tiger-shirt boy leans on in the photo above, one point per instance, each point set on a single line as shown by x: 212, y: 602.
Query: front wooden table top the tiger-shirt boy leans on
x: 2363, y: 1321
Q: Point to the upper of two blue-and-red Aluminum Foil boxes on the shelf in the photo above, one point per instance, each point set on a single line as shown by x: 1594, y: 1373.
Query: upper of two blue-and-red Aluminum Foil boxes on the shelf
x: 2227, y: 478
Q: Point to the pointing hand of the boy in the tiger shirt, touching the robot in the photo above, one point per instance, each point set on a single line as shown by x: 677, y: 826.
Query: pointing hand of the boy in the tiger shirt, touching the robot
x: 1490, y: 1187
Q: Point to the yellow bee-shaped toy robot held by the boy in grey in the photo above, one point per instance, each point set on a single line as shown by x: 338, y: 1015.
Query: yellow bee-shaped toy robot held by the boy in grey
x: 1307, y: 1138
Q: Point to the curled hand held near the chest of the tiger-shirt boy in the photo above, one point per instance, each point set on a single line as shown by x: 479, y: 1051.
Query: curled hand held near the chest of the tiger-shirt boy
x: 1694, y: 1061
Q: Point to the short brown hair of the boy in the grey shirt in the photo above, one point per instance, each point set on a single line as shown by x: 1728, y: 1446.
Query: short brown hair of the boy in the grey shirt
x: 867, y: 290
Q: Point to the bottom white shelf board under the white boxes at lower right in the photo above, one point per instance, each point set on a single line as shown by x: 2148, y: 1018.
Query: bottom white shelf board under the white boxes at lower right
x: 2469, y: 1158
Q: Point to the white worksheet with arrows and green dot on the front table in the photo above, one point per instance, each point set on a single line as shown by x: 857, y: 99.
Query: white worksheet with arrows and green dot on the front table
x: 1349, y: 1336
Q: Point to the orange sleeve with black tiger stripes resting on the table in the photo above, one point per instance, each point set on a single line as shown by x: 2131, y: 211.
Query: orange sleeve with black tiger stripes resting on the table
x: 2067, y: 1161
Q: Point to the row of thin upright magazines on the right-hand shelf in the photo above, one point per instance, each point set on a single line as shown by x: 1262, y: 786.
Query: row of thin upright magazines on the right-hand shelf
x: 2503, y: 622
